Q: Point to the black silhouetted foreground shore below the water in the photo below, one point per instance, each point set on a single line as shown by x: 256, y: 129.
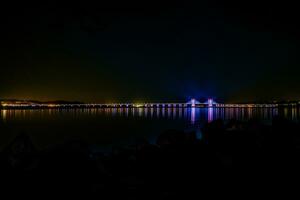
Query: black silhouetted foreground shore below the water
x: 237, y: 159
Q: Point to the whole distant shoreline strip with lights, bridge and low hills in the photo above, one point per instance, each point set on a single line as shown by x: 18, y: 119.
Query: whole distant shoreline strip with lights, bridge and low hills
x: 193, y: 103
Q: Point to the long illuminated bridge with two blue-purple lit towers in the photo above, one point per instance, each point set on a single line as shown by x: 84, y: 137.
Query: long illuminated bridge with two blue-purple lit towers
x: 193, y: 103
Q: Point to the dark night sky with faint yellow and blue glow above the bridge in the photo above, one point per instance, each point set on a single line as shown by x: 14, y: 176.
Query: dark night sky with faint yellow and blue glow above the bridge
x: 150, y: 50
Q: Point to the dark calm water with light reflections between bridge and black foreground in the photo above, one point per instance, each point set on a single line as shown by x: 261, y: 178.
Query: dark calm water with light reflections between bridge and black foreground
x: 119, y: 126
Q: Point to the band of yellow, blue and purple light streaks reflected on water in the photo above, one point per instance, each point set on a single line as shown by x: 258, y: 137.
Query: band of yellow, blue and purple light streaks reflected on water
x: 191, y: 115
